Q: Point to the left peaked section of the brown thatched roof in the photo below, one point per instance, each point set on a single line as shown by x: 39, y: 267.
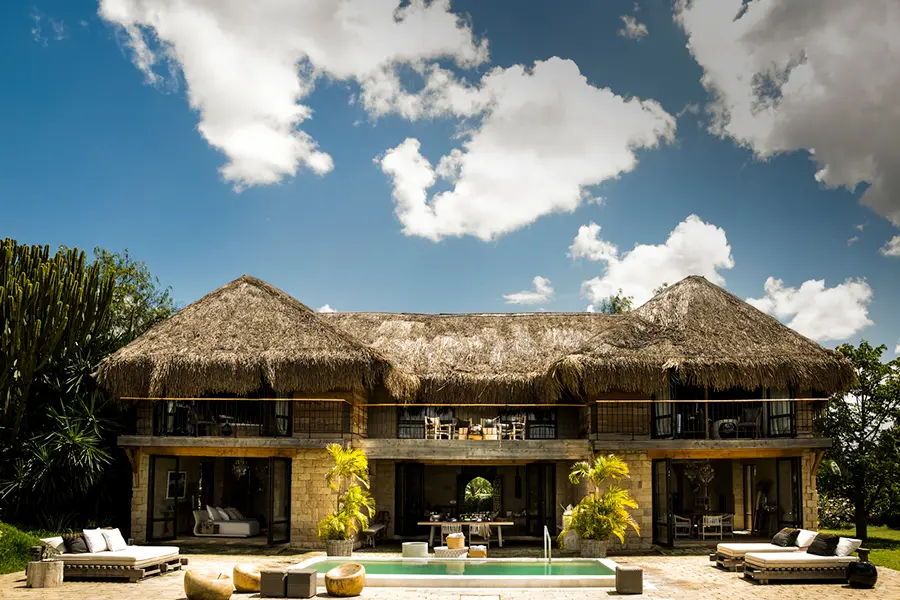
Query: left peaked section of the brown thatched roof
x: 243, y: 337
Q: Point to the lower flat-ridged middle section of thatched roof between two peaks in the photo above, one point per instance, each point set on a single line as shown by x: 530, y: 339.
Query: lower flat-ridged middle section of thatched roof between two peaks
x: 477, y: 358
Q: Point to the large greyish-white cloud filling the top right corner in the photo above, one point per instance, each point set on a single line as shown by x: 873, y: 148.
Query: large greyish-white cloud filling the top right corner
x: 815, y: 75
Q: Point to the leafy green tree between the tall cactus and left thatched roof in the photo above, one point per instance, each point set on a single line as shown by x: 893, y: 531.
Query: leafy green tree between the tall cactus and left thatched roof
x: 139, y: 301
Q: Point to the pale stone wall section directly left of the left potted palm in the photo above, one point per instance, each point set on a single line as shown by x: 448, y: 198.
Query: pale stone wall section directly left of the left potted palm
x: 311, y: 498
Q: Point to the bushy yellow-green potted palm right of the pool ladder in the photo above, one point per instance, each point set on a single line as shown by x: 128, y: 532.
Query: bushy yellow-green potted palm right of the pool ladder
x: 600, y: 515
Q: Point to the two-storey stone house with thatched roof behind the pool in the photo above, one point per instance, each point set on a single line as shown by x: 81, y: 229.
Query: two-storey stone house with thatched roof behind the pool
x: 238, y: 394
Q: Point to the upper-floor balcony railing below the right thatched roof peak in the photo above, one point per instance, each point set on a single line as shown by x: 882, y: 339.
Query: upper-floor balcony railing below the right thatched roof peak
x: 701, y: 419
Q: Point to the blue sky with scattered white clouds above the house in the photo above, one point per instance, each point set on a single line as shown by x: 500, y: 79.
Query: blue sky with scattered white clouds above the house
x: 412, y: 156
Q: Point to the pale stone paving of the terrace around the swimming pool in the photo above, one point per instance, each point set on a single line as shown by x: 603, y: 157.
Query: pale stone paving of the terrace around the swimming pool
x: 665, y: 578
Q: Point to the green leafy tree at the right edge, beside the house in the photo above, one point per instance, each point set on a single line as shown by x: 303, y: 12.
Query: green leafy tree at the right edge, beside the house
x: 864, y: 459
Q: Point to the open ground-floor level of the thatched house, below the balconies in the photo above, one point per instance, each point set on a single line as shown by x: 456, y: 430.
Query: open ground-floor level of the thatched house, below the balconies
x: 284, y: 490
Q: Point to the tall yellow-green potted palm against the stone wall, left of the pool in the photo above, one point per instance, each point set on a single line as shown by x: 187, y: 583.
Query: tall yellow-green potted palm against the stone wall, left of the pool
x: 349, y: 479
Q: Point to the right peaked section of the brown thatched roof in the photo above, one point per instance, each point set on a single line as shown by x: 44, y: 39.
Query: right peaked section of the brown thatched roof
x: 706, y: 337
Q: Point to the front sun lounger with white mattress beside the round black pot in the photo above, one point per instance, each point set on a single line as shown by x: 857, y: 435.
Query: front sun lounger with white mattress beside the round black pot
x: 765, y: 566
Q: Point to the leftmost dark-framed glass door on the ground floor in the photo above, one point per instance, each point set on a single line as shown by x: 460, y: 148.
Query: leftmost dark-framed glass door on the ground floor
x: 166, y: 489
